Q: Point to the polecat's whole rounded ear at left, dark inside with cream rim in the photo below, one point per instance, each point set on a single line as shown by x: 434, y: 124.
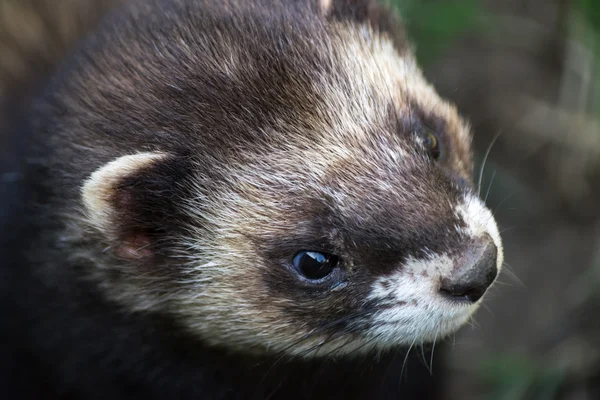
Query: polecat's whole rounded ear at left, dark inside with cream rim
x: 131, y: 201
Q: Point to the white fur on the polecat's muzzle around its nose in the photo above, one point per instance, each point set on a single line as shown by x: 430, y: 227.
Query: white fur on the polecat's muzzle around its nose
x: 418, y: 313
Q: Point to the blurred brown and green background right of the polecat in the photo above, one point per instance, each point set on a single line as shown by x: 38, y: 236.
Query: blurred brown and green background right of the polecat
x: 527, y: 73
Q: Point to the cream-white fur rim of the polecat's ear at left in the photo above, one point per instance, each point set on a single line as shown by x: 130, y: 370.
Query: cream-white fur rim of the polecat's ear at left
x: 98, y: 189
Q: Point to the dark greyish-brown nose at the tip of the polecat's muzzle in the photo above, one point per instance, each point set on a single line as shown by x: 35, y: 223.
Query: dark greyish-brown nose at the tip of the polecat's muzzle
x: 476, y: 274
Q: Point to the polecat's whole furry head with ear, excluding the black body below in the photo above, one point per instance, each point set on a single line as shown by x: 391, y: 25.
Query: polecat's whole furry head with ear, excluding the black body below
x: 276, y: 178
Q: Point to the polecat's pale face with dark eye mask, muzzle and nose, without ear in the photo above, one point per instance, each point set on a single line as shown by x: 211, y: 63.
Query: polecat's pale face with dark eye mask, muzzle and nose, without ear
x: 367, y: 235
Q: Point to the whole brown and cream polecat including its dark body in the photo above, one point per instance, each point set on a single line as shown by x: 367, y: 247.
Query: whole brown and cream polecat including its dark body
x: 239, y: 199
